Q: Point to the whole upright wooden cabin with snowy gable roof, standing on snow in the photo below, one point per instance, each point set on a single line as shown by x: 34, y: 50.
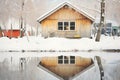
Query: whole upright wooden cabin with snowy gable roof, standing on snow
x: 66, y: 20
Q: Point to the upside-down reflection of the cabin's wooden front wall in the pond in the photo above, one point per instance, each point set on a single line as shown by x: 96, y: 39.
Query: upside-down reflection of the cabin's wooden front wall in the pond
x: 66, y: 66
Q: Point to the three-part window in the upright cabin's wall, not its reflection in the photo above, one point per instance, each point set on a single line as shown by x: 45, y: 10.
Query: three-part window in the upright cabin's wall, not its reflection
x: 66, y: 26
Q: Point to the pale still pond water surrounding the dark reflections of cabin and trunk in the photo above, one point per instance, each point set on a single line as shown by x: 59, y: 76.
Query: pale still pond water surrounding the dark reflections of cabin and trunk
x: 11, y: 67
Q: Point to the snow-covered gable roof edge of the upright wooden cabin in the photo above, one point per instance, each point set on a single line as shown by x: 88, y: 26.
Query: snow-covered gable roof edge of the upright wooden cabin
x: 62, y: 5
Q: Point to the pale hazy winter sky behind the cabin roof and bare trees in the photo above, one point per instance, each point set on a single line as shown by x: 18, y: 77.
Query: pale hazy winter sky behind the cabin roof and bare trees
x: 11, y: 9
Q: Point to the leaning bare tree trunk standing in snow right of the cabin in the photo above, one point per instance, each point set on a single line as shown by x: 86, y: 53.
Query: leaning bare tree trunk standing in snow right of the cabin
x: 102, y: 17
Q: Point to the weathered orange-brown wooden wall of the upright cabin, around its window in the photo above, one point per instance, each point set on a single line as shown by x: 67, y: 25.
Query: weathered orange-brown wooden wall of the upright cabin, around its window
x: 50, y: 24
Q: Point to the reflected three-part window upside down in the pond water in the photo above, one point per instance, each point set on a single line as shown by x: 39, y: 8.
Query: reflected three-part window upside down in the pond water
x: 66, y: 59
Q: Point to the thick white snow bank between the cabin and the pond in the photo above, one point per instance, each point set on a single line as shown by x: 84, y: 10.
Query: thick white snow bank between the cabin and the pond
x: 39, y: 43
